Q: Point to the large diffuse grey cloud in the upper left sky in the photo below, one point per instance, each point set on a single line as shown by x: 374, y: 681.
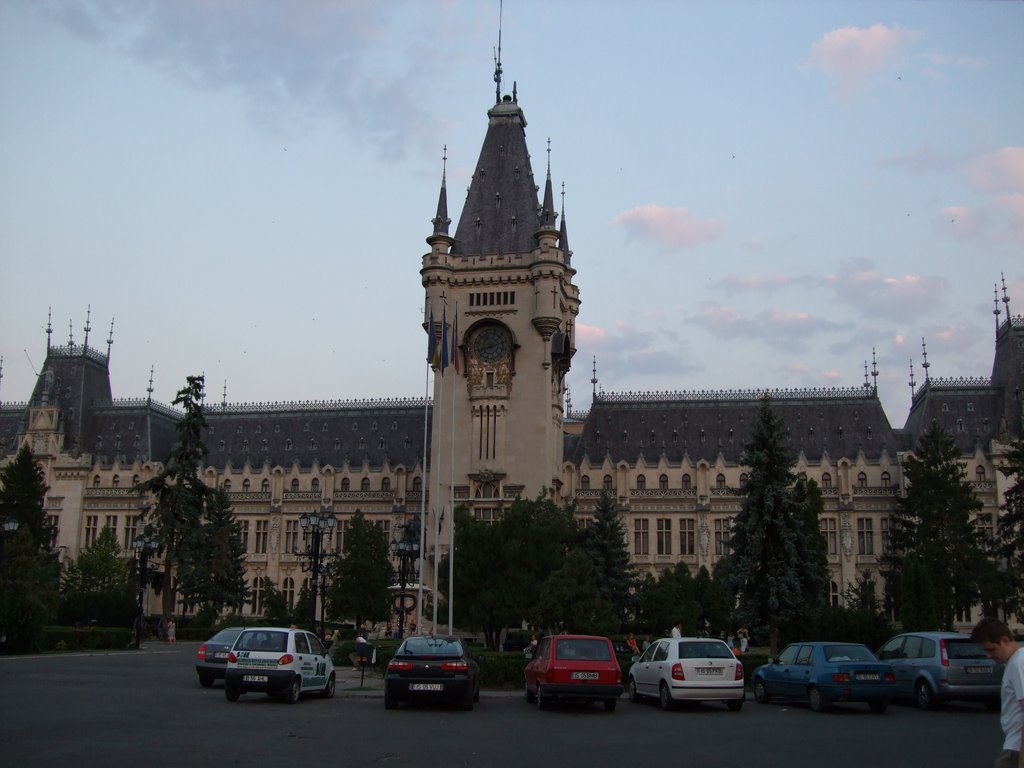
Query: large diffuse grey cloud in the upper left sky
x: 301, y: 60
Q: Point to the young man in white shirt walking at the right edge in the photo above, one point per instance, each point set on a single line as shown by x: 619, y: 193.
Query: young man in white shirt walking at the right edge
x: 996, y: 639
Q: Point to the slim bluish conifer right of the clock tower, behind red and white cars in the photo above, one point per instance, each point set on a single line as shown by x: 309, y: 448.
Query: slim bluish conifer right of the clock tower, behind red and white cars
x: 605, y: 541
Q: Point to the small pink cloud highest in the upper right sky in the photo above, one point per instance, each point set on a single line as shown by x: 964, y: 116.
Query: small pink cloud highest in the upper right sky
x: 854, y: 56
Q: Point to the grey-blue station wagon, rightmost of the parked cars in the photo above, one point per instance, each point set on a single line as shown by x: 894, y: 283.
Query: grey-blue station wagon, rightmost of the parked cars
x: 936, y: 667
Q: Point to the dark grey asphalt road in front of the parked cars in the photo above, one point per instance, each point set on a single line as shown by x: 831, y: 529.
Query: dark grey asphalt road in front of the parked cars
x: 147, y: 709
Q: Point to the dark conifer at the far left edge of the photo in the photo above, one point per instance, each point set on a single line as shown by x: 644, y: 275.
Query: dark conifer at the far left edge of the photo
x: 29, y: 573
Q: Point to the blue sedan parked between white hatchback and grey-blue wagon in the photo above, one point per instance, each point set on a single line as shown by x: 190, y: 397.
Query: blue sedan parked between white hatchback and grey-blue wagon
x: 824, y: 673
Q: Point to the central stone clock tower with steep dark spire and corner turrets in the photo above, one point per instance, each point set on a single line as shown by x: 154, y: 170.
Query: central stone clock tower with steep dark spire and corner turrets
x: 503, y: 289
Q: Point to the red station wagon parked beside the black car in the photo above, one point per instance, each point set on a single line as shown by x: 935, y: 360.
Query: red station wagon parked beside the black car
x: 574, y: 667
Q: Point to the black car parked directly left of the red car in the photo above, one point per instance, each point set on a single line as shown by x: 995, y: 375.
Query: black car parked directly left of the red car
x: 433, y: 669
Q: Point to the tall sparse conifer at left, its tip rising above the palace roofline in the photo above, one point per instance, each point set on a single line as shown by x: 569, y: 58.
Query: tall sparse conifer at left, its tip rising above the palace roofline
x: 181, y: 498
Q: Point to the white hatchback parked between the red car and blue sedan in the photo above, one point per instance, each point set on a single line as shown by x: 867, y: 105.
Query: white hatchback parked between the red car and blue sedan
x: 688, y: 670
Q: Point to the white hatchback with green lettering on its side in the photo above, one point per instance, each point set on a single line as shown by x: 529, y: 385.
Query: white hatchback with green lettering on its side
x: 279, y: 662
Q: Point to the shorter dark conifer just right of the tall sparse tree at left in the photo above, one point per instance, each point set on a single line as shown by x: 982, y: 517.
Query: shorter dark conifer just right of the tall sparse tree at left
x: 216, y: 575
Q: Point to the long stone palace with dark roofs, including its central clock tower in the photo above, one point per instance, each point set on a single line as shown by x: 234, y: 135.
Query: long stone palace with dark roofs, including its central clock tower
x: 501, y: 301
